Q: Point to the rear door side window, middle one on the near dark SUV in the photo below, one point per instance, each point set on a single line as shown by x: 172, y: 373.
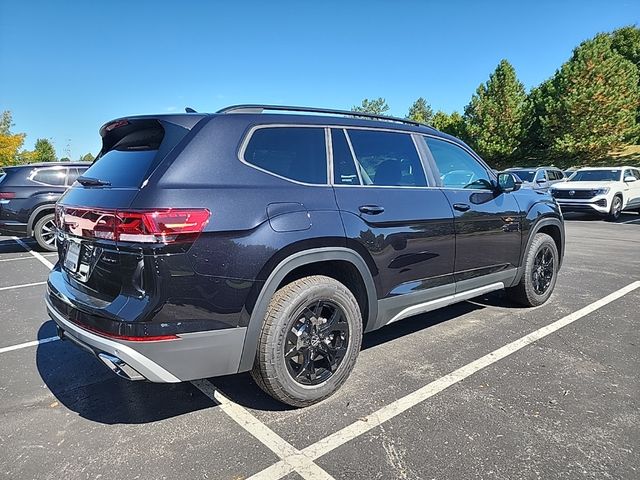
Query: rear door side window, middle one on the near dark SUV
x: 387, y: 158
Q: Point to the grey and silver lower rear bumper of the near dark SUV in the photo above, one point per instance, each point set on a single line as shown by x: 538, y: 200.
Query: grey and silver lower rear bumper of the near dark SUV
x: 189, y: 357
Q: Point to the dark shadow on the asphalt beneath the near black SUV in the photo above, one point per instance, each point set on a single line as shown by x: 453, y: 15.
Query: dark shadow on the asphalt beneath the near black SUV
x: 84, y: 385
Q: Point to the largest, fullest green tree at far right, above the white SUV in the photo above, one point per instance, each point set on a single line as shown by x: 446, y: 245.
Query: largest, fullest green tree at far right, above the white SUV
x: 589, y: 106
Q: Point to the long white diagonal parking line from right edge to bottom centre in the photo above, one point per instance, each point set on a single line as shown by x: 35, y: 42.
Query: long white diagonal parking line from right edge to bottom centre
x: 375, y: 419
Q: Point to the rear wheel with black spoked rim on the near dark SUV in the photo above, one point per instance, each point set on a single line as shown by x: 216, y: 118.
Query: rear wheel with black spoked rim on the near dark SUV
x: 303, y: 373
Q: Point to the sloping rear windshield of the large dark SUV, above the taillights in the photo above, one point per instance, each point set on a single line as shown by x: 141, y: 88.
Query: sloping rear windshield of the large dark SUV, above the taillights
x: 125, y: 169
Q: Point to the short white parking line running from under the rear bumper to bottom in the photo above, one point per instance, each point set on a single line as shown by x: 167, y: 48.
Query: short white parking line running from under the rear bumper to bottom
x: 292, y: 458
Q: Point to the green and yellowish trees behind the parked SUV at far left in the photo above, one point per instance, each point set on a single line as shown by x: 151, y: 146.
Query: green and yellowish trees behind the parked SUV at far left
x: 12, y: 153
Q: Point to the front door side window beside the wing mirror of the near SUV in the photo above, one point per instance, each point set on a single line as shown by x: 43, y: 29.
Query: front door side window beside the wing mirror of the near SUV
x: 457, y: 168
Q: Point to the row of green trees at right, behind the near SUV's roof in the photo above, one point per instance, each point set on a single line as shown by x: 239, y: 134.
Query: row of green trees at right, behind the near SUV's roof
x: 589, y: 107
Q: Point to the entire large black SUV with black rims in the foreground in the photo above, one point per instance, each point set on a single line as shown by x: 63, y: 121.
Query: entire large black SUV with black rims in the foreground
x: 208, y: 244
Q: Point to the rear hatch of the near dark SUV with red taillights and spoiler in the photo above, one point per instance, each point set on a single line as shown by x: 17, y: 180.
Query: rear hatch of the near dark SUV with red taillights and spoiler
x: 106, y: 249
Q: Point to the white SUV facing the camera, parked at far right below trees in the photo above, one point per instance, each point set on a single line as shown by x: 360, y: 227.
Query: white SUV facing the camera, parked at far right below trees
x: 607, y: 191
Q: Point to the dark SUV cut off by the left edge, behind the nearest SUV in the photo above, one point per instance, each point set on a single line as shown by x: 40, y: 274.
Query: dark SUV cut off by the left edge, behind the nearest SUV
x: 28, y: 194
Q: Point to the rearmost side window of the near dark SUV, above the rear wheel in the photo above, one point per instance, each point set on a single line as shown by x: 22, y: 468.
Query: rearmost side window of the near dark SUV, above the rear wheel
x: 297, y: 153
